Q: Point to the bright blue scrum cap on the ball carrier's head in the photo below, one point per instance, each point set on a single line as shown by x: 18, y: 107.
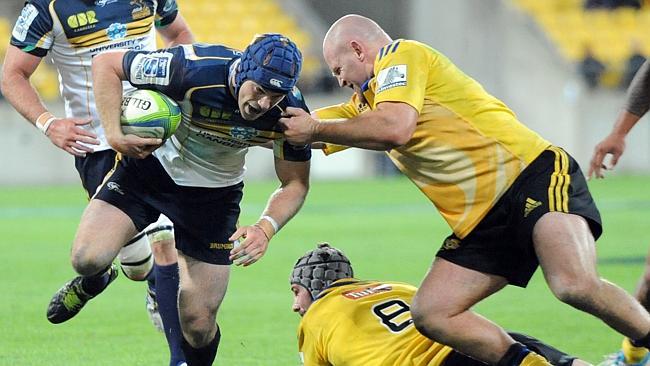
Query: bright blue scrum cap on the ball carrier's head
x: 271, y: 60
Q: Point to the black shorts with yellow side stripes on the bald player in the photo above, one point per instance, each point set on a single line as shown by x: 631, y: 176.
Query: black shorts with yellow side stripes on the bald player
x: 502, y: 243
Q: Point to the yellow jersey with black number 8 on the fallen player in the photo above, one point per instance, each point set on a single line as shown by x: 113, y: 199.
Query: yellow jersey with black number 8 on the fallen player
x: 365, y: 323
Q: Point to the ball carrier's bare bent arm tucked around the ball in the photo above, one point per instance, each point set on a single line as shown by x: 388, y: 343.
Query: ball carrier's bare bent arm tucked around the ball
x: 107, y: 80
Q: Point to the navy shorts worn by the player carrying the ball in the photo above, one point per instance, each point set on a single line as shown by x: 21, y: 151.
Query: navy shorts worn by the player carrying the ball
x: 204, y: 218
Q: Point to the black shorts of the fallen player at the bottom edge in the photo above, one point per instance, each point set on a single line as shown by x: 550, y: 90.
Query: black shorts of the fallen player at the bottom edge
x: 553, y: 355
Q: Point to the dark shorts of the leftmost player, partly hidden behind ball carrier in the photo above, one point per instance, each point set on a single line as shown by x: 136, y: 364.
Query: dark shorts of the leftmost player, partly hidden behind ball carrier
x: 93, y: 168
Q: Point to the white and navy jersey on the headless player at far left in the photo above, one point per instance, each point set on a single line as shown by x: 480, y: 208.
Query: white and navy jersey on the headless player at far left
x: 73, y: 31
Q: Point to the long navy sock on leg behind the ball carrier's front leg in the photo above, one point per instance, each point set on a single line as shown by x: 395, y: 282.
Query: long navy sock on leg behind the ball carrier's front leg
x: 167, y: 297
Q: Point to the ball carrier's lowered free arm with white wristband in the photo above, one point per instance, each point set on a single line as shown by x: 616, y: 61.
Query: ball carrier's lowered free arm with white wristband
x: 283, y: 204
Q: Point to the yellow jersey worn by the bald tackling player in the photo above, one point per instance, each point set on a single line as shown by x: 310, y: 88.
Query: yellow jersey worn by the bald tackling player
x: 468, y: 146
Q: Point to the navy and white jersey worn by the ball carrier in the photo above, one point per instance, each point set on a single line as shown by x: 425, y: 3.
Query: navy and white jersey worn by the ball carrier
x: 210, y: 144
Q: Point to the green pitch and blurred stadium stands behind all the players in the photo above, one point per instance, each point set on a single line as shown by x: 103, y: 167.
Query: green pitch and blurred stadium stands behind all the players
x: 526, y: 52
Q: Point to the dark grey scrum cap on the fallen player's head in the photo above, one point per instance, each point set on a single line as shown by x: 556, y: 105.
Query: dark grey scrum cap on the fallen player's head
x: 318, y: 268
